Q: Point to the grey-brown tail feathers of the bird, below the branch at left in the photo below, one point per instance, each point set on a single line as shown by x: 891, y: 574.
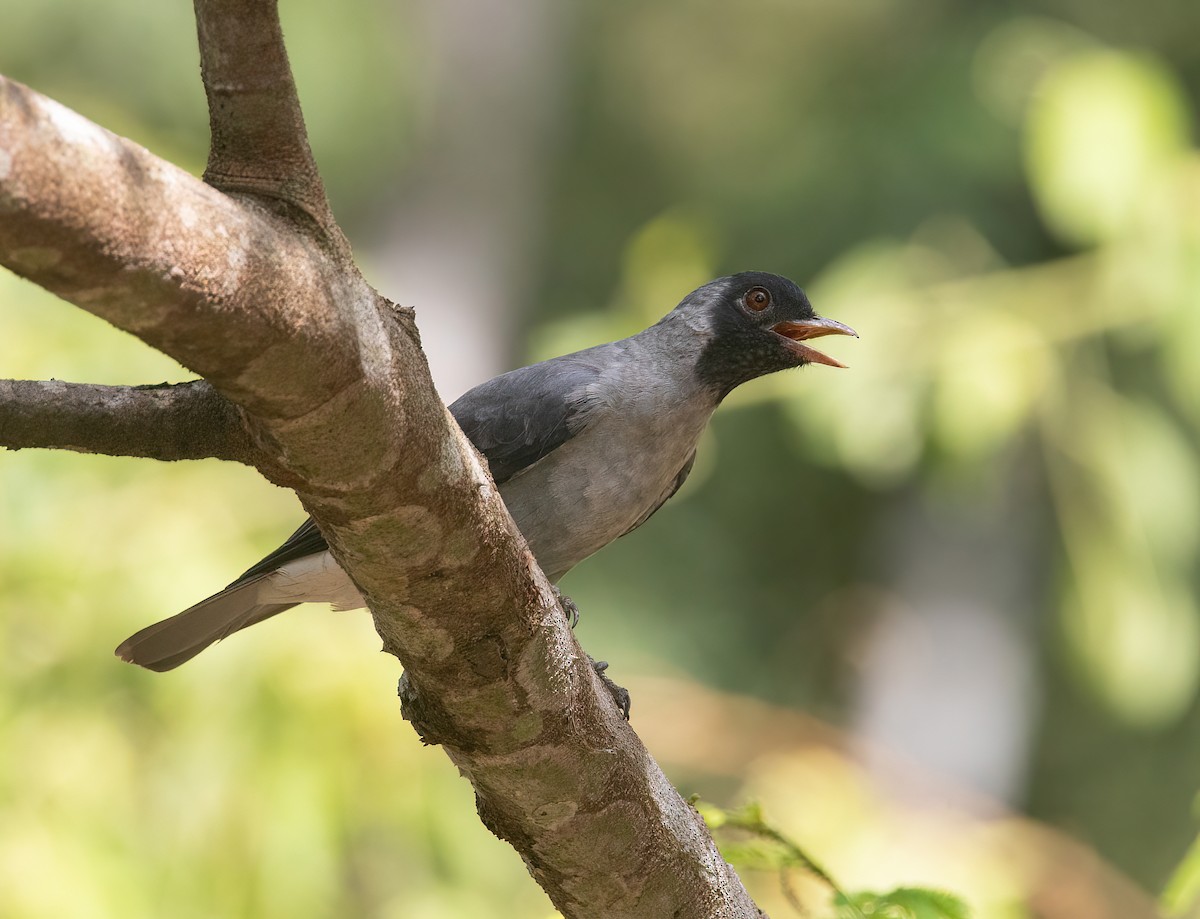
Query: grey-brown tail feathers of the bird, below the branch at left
x: 166, y: 645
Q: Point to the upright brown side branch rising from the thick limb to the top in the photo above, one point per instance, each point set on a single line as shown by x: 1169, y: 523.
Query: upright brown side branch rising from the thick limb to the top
x: 260, y: 145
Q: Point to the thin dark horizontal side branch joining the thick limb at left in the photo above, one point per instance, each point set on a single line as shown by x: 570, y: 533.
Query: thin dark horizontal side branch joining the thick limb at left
x: 181, y: 422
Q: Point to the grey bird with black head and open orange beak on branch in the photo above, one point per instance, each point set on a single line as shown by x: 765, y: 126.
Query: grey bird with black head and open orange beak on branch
x: 584, y: 448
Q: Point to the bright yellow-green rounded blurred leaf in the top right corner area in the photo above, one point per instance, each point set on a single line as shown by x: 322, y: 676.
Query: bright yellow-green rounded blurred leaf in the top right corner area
x: 1105, y: 127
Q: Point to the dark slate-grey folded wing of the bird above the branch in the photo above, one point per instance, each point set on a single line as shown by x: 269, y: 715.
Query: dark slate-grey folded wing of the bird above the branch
x: 519, y: 418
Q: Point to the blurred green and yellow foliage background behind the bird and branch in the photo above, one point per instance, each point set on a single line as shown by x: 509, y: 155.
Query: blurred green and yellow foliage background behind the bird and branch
x: 938, y: 612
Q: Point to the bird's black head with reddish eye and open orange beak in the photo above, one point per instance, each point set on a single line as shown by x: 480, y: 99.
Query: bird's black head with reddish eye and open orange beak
x: 754, y: 325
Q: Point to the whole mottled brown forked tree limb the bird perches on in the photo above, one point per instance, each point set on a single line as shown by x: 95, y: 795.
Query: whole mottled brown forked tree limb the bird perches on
x: 321, y: 383
